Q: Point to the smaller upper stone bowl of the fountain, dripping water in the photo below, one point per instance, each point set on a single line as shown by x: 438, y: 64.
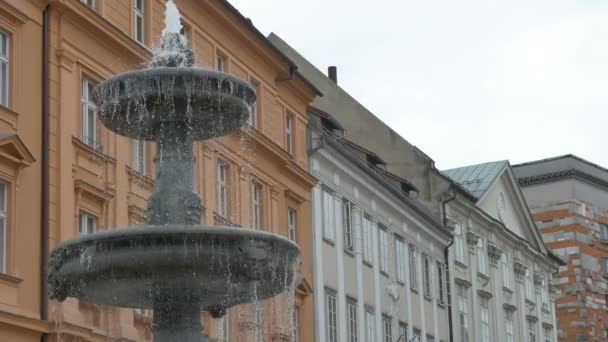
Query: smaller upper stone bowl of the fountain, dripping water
x: 206, y: 103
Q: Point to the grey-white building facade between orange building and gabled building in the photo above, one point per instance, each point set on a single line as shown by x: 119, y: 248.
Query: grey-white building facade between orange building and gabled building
x: 378, y: 254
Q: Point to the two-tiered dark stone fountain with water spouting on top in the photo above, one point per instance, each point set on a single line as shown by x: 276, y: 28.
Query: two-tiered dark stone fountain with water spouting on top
x: 173, y: 265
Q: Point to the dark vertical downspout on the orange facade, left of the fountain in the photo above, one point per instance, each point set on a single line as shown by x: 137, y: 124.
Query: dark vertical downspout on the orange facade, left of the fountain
x: 44, y: 199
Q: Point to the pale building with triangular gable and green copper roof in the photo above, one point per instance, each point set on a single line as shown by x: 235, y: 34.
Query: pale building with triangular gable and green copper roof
x: 500, y: 271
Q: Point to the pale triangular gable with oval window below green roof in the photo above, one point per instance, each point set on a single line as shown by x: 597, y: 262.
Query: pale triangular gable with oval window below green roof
x: 504, y: 201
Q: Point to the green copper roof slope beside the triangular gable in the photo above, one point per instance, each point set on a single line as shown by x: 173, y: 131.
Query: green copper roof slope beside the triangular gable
x: 477, y: 179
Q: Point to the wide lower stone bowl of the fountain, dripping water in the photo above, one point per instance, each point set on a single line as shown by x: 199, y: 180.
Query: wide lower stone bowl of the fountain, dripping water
x: 155, y: 266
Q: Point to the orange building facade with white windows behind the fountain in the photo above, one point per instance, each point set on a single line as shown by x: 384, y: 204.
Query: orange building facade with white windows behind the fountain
x: 97, y: 180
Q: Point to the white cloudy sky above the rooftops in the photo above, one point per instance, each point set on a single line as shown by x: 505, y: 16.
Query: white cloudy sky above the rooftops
x: 466, y: 81
